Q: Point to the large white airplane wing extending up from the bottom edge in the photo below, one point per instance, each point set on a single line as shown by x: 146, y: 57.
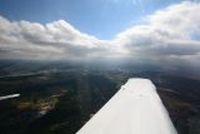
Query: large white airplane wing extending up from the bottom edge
x: 135, y: 109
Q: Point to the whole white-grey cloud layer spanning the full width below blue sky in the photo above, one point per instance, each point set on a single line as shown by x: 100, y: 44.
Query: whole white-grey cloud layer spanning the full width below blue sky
x: 171, y: 34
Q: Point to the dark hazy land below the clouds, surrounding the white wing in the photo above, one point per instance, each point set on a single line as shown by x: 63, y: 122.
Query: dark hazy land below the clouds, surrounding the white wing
x: 60, y: 97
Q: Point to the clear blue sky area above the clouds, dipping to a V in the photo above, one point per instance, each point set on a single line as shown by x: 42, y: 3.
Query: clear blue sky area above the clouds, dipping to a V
x: 102, y: 18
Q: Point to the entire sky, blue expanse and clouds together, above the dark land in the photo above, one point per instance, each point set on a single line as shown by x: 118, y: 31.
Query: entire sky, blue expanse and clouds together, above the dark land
x: 157, y: 31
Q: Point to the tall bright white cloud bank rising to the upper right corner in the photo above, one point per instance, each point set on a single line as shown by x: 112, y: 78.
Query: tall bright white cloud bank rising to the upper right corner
x: 168, y: 32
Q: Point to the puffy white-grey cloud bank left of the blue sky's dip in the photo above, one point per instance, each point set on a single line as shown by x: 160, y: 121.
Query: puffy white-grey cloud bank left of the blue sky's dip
x: 54, y: 40
